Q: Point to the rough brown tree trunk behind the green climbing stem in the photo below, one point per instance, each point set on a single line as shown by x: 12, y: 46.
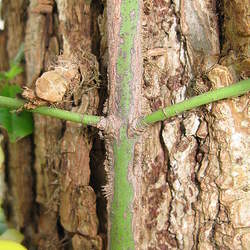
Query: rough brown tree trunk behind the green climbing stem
x: 192, y: 189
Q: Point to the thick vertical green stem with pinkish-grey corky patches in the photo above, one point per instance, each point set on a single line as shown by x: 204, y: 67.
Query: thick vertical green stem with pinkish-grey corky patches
x: 125, y: 77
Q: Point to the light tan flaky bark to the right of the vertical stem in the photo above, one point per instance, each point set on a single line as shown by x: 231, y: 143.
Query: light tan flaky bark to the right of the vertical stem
x: 194, y: 193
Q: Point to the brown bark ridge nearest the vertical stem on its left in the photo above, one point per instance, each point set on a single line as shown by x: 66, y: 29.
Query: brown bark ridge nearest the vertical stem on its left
x: 77, y: 198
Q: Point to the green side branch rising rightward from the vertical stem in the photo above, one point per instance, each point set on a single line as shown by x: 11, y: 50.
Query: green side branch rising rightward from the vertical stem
x: 194, y: 102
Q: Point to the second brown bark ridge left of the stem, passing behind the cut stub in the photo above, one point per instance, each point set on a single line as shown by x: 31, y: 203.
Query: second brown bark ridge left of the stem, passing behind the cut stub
x: 47, y: 133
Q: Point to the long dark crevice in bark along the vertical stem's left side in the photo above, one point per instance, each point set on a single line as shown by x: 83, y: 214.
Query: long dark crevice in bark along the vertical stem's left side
x: 97, y: 153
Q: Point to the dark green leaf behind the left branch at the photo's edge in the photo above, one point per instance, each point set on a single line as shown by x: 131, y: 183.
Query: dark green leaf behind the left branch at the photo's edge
x: 18, y: 125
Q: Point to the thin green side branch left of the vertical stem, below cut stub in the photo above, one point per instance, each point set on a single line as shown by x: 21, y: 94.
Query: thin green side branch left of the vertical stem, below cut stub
x: 13, y: 103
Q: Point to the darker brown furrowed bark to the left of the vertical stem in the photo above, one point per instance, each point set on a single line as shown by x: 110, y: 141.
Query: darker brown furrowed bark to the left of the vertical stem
x: 49, y: 190
